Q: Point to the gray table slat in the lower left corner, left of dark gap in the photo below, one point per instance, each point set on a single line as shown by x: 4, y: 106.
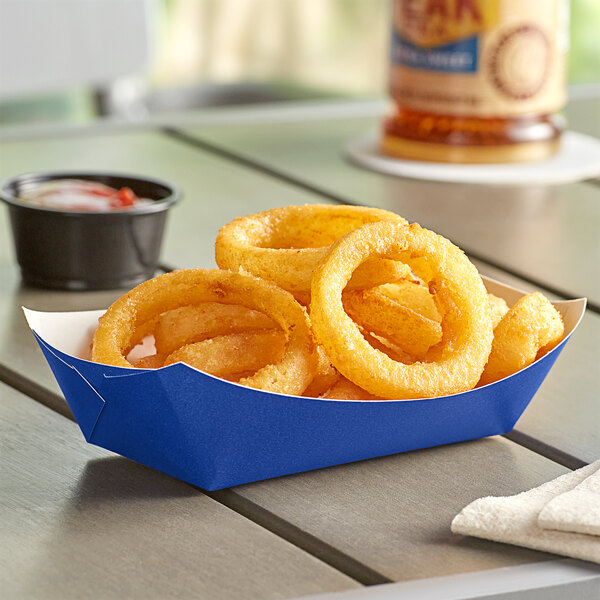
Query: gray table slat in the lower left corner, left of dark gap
x: 80, y: 522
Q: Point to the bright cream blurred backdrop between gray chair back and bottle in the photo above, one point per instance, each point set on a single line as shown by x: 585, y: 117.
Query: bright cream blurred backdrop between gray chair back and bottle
x: 337, y: 46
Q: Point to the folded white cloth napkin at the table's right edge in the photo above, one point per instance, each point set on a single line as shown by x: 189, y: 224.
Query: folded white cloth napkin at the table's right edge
x: 561, y: 516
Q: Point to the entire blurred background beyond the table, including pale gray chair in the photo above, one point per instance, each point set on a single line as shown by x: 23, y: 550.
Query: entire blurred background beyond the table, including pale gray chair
x: 74, y: 61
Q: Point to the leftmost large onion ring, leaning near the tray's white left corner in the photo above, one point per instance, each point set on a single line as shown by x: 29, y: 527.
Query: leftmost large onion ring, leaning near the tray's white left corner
x: 169, y: 291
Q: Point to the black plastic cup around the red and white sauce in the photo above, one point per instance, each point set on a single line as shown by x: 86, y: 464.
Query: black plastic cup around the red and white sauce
x: 88, y: 250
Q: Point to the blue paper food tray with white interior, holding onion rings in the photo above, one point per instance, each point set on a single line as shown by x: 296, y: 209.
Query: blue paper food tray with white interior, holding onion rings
x: 217, y: 434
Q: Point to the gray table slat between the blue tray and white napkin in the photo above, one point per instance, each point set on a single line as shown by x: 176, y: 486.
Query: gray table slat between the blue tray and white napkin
x: 394, y: 513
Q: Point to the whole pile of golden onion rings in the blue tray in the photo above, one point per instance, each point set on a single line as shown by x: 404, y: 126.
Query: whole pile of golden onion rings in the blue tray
x: 333, y: 302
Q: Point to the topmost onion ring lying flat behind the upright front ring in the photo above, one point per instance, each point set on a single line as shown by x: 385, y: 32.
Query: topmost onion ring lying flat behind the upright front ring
x: 285, y: 245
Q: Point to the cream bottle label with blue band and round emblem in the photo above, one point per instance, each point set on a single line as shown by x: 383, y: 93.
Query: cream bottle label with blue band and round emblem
x: 498, y: 58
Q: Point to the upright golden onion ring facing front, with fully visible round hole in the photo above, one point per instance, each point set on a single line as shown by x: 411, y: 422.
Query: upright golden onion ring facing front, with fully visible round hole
x: 459, y: 292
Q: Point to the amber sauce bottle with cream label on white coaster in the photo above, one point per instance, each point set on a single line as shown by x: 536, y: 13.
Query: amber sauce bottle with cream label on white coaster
x: 477, y: 81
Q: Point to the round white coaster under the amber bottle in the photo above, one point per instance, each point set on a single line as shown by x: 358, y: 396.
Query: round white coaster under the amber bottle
x: 577, y: 159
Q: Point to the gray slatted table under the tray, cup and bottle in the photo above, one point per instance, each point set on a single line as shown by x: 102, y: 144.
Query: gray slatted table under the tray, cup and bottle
x: 79, y: 521
